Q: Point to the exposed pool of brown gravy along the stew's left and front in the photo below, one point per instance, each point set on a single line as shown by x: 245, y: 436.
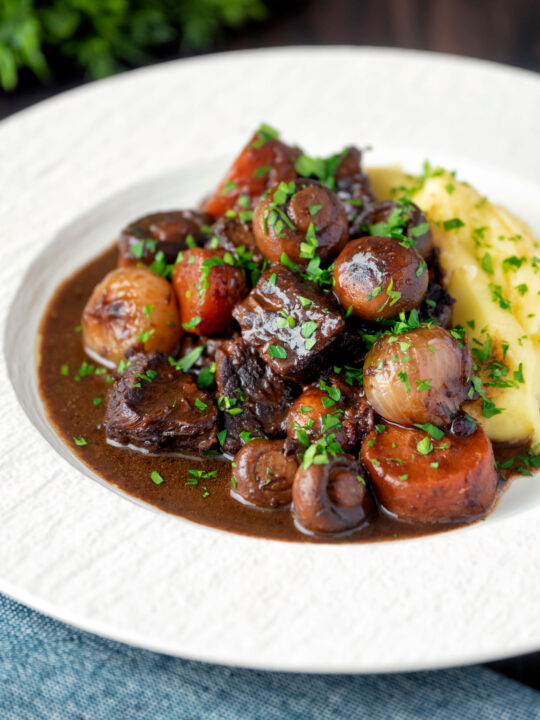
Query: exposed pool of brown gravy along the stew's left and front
x: 71, y: 410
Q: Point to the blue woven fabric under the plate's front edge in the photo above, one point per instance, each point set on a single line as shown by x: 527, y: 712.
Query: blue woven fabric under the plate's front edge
x: 52, y: 671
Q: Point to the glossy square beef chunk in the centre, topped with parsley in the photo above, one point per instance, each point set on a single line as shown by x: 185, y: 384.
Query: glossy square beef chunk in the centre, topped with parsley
x: 296, y: 328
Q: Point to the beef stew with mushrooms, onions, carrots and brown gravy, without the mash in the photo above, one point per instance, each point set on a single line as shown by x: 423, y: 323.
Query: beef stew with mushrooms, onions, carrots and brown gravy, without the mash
x: 279, y: 361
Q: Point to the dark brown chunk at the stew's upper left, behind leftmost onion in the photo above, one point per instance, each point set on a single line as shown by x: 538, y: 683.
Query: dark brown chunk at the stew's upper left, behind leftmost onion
x: 167, y: 232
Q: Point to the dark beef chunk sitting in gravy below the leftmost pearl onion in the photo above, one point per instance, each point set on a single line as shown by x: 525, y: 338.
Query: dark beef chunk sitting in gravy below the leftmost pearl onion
x: 155, y: 407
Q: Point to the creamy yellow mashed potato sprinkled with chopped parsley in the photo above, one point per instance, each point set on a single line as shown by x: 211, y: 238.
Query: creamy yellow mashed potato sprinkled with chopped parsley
x: 491, y: 264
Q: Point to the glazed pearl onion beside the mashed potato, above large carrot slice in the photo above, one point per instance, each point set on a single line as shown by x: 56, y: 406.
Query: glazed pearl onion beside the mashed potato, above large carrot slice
x: 418, y: 377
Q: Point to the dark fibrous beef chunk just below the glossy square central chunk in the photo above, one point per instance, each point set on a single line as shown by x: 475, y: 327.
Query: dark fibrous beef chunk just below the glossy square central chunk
x: 254, y: 400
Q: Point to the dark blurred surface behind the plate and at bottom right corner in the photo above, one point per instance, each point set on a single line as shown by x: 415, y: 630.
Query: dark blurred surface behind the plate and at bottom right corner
x: 506, y: 31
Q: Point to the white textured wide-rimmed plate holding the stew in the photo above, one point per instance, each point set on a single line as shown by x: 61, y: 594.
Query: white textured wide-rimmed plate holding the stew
x: 73, y: 170
